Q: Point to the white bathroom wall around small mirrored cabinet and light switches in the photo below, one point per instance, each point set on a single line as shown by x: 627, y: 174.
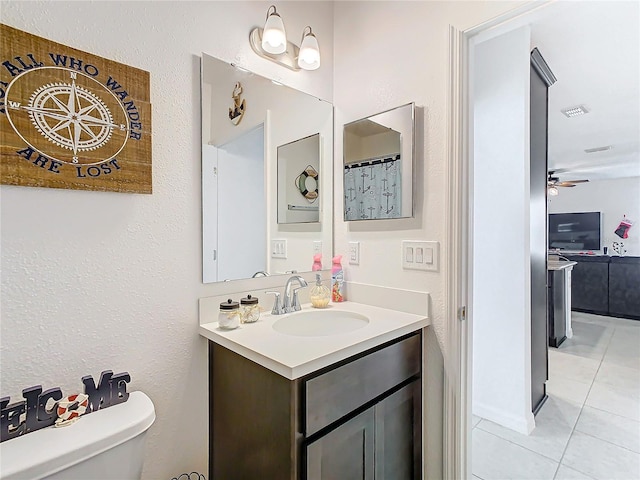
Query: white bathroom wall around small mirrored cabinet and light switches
x: 389, y: 54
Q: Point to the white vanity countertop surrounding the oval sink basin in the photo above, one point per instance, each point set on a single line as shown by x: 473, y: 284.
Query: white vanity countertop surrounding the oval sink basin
x: 294, y: 356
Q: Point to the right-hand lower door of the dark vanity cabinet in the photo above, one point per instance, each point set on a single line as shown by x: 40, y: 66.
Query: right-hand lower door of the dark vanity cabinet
x: 398, y: 434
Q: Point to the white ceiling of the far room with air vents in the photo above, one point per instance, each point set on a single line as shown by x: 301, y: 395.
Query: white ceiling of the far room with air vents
x: 593, y: 48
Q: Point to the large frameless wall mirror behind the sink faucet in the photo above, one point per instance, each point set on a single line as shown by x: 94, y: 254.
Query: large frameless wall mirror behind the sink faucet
x: 265, y: 147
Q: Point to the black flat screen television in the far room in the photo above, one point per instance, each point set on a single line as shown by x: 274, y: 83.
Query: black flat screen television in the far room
x: 574, y: 231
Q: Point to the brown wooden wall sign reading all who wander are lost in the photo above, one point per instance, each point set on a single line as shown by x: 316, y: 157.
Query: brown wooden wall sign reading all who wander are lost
x: 71, y: 119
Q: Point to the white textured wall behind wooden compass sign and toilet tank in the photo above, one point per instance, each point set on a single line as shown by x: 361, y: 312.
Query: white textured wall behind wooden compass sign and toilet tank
x: 94, y: 281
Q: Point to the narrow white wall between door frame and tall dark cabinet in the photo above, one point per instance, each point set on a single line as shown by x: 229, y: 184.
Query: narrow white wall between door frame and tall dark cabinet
x: 501, y: 306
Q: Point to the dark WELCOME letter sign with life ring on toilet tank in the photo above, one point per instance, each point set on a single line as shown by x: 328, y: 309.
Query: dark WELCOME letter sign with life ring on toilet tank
x: 42, y: 409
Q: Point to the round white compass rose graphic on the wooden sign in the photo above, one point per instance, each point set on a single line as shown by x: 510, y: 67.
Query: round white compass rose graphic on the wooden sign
x: 75, y: 120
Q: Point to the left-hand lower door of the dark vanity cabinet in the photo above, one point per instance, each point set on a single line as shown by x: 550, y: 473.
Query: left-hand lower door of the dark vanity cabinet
x: 346, y: 453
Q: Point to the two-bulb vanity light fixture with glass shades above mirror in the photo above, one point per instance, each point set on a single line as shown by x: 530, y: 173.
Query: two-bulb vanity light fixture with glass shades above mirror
x: 271, y: 43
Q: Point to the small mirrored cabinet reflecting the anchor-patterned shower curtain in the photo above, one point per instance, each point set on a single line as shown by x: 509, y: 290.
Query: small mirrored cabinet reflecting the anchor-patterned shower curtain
x: 379, y: 165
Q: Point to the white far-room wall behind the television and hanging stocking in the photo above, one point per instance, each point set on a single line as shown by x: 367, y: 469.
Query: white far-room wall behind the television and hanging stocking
x: 614, y: 198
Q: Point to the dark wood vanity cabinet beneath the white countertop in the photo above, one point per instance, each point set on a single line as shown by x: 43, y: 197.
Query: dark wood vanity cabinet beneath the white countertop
x: 360, y: 418
